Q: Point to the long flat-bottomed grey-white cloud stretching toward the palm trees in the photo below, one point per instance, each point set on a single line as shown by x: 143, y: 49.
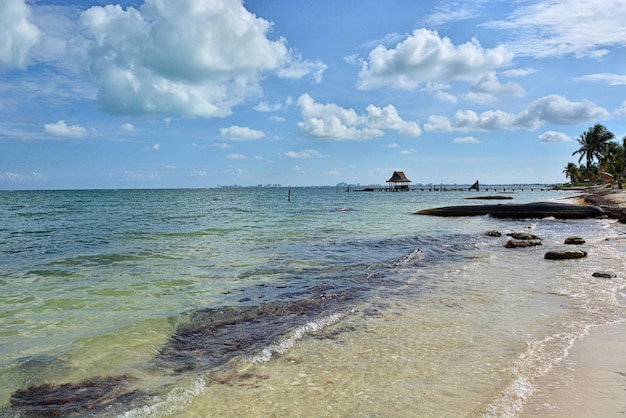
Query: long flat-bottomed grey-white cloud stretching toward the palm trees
x: 552, y: 109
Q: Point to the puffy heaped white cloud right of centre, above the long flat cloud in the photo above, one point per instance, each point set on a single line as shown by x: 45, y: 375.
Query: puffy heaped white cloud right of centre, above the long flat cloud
x: 425, y: 57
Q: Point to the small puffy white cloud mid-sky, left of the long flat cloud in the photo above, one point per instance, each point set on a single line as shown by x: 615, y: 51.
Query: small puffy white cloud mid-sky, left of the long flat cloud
x: 335, y: 122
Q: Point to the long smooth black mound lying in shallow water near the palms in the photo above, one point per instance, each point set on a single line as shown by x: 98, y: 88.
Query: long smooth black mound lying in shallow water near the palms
x: 520, y: 211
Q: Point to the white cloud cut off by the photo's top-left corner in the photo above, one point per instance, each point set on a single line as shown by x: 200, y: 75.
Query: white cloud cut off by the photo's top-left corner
x: 18, y: 35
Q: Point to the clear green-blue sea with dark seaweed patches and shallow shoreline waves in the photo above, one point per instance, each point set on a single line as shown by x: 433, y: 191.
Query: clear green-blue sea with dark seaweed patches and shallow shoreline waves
x: 290, y: 302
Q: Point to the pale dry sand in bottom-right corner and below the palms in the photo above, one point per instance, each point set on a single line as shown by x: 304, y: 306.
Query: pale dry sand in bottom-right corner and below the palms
x: 591, y: 380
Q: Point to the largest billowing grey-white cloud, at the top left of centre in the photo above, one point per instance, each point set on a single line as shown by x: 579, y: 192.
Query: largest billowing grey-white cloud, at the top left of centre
x: 191, y: 57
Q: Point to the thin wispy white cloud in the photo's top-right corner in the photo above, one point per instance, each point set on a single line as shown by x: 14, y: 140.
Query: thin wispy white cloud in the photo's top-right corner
x: 562, y: 27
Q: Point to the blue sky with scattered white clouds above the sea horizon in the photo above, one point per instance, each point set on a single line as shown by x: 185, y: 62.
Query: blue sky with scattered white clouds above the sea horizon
x: 199, y: 93
